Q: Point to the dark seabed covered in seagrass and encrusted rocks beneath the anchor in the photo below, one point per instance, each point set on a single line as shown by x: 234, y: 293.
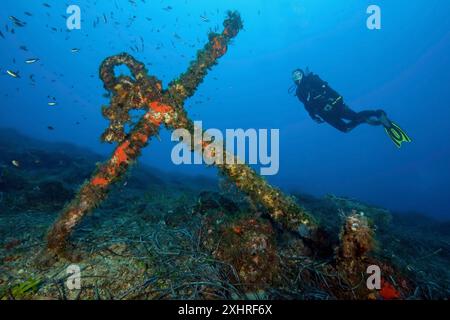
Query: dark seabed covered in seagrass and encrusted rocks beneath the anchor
x: 161, y: 236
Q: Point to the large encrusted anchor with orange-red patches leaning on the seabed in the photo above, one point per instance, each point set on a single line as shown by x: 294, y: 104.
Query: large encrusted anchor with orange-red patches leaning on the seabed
x: 165, y: 107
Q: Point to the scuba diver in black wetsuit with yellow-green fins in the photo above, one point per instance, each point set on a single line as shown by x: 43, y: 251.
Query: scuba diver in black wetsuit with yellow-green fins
x: 326, y: 105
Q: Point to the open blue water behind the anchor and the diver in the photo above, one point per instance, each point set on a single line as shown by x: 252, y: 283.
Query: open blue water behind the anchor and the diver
x: 402, y: 68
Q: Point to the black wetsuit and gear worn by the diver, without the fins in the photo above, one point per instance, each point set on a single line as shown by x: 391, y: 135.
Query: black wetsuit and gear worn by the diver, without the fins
x: 324, y: 103
